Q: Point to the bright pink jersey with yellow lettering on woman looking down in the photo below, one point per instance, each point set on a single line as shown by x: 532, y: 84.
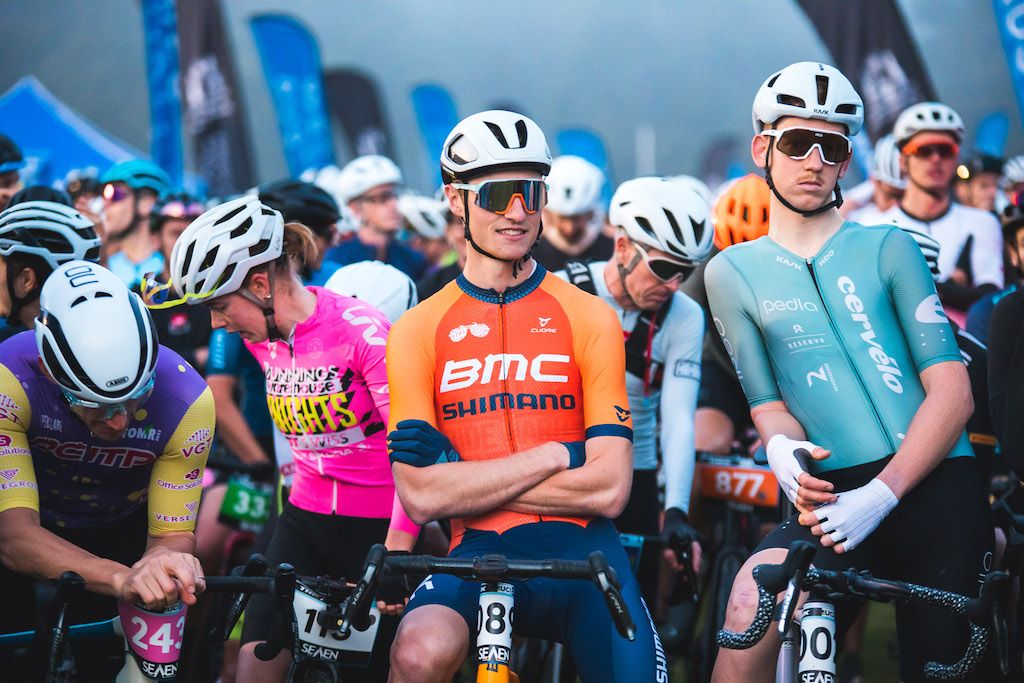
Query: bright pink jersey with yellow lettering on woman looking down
x: 328, y: 394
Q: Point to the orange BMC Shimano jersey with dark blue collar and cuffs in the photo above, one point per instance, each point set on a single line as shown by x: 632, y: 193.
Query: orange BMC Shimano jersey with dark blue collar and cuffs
x: 503, y: 373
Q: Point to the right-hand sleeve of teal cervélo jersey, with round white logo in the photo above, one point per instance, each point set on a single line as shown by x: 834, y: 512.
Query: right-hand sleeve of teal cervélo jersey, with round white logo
x: 916, y: 302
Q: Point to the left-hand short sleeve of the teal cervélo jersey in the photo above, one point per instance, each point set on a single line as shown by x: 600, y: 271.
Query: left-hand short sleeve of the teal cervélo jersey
x: 735, y: 316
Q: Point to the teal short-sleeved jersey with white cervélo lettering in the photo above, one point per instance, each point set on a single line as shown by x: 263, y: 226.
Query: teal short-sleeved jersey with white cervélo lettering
x: 841, y: 338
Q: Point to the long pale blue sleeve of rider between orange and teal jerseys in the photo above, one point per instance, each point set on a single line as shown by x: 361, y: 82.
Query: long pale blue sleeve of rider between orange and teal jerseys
x: 680, y: 387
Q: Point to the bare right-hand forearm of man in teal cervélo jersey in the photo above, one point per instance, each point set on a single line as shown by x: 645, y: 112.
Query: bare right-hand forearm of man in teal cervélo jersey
x: 934, y: 431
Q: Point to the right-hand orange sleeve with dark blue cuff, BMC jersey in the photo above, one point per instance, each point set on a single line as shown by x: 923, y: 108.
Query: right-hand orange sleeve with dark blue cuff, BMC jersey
x: 601, y: 355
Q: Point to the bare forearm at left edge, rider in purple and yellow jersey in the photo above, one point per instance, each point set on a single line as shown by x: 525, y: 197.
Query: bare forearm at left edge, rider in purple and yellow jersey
x: 31, y: 550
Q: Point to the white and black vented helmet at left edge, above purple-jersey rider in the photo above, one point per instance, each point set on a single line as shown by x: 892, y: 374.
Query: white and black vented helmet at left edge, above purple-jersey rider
x: 56, y: 233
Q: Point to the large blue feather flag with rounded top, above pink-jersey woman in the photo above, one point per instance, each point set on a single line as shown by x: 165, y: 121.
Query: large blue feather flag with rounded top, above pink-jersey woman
x: 292, y: 69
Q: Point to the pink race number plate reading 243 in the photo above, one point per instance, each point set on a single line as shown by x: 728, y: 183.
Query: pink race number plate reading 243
x: 154, y: 638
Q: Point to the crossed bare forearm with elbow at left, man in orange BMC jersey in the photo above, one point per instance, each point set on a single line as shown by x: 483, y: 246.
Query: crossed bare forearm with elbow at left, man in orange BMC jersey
x: 468, y: 489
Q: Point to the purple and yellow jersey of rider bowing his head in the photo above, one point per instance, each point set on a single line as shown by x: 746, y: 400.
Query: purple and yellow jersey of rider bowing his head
x: 50, y: 461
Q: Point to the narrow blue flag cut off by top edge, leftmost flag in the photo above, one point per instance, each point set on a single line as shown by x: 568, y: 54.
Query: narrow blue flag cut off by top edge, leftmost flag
x: 162, y: 73
